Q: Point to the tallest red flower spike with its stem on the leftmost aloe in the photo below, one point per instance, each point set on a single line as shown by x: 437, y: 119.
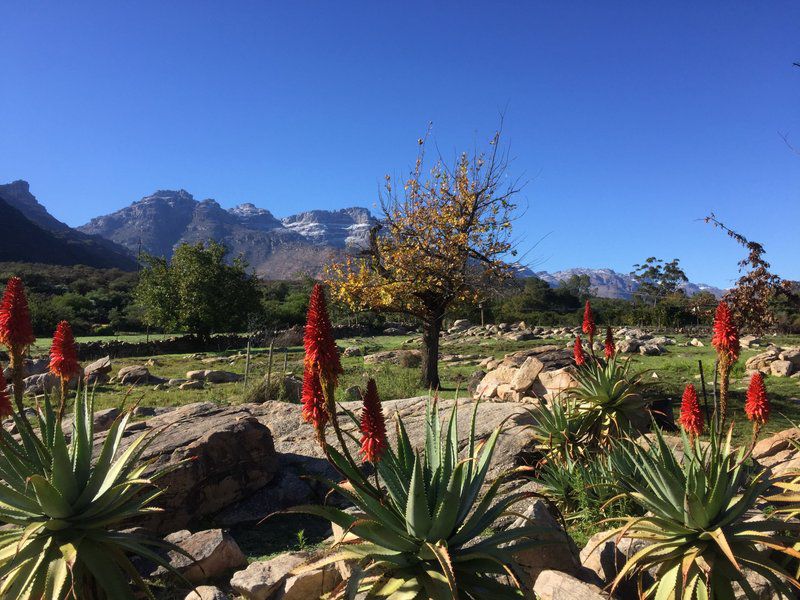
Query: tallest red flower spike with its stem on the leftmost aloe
x: 16, y: 333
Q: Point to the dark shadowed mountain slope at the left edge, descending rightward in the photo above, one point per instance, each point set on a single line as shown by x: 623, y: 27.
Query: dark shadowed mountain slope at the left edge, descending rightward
x: 31, y: 234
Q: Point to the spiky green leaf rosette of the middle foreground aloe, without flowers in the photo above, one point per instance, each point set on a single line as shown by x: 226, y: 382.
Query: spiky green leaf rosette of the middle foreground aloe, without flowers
x: 429, y: 532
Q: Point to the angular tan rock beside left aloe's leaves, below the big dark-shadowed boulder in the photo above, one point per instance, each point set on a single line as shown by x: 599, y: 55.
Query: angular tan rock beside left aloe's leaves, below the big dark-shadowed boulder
x: 215, y: 553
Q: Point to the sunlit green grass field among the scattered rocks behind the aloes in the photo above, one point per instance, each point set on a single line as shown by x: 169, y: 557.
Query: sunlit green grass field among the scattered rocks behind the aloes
x: 663, y: 376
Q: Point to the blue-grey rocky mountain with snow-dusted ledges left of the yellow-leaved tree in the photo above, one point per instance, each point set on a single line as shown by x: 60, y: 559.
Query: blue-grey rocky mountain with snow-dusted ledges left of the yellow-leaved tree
x: 276, y: 249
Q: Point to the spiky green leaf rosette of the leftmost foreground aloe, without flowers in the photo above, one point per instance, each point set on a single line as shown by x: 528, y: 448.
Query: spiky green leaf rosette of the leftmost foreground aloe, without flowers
x: 61, y: 508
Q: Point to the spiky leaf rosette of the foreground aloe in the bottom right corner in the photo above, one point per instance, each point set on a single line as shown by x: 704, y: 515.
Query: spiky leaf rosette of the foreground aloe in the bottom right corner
x: 699, y: 538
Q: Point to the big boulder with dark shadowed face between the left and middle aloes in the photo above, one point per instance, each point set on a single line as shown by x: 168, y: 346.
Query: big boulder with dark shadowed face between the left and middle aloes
x: 231, y: 455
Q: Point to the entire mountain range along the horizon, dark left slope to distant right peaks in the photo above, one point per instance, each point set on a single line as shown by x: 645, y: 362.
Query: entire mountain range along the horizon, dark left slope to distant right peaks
x: 275, y: 248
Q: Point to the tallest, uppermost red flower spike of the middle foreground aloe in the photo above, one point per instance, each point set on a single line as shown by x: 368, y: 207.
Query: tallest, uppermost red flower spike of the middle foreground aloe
x: 321, y: 352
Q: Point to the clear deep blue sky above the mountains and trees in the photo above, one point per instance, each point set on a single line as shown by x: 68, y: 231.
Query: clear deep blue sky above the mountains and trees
x: 629, y: 120
